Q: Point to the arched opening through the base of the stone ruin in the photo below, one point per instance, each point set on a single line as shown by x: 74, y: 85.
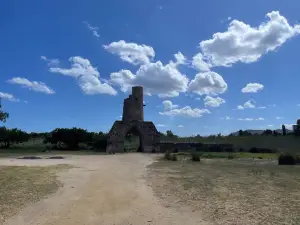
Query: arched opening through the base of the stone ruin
x: 133, y: 140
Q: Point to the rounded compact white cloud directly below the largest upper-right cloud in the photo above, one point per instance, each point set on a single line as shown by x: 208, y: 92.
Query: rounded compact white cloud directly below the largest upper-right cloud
x: 209, y: 83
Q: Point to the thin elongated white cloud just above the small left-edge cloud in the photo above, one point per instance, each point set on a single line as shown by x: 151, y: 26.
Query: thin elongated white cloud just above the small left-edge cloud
x: 32, y: 85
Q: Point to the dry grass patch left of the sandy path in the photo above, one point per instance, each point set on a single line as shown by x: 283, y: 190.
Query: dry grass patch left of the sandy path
x: 21, y: 185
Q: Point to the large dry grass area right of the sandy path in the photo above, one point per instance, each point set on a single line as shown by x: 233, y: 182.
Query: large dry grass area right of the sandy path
x: 235, y: 192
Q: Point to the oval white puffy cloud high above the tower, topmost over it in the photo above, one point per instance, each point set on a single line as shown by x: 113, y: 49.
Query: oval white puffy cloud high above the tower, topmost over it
x: 131, y: 52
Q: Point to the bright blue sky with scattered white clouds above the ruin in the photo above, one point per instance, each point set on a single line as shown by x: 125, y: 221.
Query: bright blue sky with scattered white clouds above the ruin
x: 206, y: 66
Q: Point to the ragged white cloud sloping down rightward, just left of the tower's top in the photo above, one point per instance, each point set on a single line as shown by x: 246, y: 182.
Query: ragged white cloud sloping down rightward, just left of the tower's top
x: 87, y: 76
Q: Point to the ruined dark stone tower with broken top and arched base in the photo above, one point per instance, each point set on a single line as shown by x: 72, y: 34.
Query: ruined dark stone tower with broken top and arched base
x: 133, y: 122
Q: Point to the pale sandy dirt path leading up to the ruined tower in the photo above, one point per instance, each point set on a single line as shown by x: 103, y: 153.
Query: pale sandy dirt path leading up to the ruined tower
x: 108, y: 190
